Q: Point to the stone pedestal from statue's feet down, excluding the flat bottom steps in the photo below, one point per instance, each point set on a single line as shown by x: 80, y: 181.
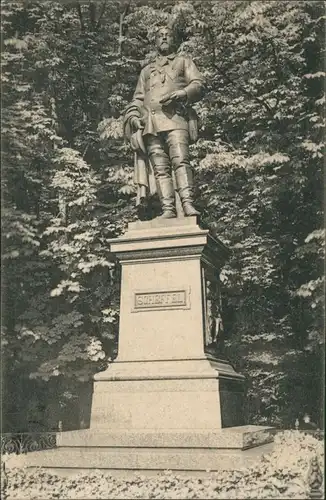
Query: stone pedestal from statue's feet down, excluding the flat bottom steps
x: 162, y: 378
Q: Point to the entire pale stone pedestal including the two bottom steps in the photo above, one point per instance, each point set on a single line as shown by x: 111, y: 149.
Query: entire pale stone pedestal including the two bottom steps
x: 169, y: 400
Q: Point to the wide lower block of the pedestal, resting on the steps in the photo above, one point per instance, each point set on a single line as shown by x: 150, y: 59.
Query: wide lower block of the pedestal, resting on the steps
x: 180, y: 394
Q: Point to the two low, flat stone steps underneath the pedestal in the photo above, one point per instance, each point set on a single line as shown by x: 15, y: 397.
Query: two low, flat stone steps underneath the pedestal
x: 154, y: 451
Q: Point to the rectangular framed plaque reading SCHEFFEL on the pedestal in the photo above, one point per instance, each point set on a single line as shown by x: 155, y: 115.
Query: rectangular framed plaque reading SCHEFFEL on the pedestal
x: 167, y: 299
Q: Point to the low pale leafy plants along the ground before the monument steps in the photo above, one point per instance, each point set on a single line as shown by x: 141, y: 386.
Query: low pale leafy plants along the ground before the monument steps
x: 280, y: 474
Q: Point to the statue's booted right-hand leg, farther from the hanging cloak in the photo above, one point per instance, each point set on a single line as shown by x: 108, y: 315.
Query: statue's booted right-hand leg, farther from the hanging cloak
x: 178, y: 144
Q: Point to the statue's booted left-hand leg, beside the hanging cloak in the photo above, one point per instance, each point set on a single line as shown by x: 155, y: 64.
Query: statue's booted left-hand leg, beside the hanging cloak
x: 162, y: 170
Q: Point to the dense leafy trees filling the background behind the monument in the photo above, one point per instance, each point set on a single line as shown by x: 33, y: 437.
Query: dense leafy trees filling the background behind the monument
x: 68, y: 71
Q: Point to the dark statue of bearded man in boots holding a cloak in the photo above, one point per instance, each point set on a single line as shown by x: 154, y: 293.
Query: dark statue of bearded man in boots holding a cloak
x: 160, y: 124
